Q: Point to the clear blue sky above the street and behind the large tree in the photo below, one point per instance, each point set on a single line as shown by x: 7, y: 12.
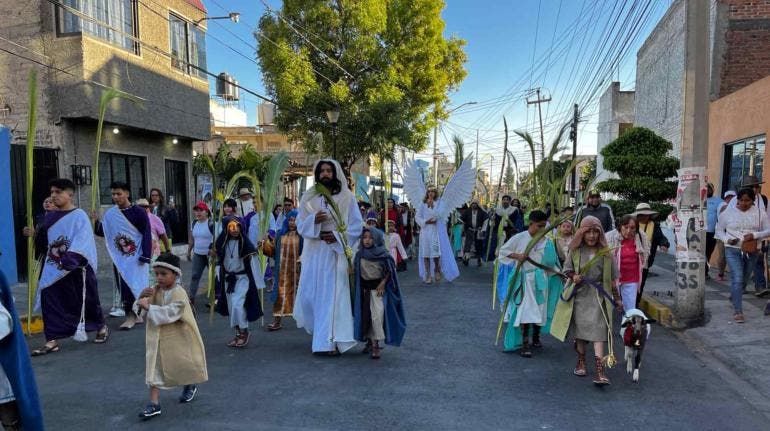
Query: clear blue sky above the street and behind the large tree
x: 570, y: 43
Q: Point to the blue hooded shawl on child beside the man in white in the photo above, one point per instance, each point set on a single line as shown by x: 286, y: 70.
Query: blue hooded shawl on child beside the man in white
x: 395, y: 321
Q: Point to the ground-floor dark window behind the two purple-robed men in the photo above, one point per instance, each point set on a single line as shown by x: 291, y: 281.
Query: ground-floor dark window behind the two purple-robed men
x: 121, y: 167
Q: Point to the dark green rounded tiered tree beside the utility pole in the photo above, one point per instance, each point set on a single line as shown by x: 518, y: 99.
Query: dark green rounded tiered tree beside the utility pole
x: 640, y: 159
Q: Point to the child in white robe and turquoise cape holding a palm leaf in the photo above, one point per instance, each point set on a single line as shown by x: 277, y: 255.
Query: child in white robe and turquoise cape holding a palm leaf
x: 536, y: 287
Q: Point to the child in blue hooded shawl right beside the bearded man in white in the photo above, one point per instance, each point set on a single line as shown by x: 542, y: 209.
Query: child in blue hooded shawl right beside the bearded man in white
x: 378, y: 310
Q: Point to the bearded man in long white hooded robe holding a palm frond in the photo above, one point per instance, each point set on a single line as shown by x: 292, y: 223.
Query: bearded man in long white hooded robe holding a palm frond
x: 323, y: 304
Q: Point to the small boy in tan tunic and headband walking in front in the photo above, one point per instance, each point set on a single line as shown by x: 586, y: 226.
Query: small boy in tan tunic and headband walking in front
x: 175, y: 354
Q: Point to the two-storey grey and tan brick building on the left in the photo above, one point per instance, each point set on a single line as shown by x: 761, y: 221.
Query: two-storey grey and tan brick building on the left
x: 150, y: 49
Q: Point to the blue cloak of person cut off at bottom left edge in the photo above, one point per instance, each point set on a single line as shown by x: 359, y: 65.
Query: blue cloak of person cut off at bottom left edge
x: 14, y: 357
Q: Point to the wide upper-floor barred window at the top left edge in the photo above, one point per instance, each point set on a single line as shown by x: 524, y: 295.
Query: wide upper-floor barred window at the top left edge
x: 113, y: 21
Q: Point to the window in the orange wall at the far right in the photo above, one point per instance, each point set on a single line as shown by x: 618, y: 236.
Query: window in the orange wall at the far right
x: 745, y: 157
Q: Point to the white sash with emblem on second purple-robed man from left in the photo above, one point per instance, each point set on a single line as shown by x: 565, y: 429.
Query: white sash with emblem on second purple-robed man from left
x: 124, y: 243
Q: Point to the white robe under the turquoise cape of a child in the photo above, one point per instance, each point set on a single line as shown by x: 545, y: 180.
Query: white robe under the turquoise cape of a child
x: 529, y: 311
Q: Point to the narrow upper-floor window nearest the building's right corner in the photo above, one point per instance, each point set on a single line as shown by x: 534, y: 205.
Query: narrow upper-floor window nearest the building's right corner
x: 188, y: 46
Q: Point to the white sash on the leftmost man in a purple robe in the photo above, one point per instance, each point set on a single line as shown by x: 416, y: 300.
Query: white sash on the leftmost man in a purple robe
x: 71, y: 233
